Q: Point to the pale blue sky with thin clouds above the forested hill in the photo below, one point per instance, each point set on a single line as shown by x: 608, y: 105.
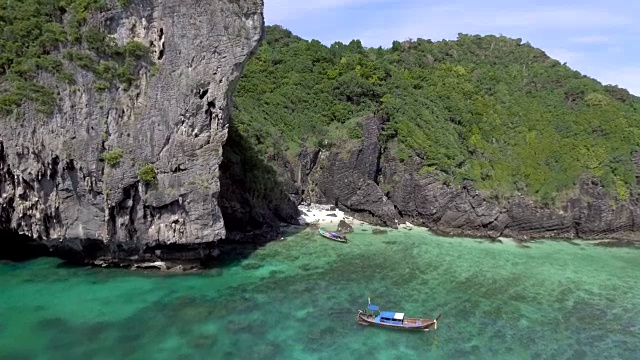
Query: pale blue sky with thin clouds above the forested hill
x: 600, y: 39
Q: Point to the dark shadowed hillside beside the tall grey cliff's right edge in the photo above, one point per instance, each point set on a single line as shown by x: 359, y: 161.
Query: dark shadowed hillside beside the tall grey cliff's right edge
x: 254, y: 202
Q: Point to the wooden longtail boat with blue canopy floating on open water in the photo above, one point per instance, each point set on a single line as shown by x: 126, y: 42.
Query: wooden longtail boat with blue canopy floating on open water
x: 394, y: 320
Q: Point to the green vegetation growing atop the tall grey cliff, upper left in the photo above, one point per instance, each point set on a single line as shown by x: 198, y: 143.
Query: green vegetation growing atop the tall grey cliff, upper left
x: 41, y: 36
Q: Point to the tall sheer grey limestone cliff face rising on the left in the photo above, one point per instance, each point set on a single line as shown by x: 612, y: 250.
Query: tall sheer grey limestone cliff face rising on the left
x: 55, y: 188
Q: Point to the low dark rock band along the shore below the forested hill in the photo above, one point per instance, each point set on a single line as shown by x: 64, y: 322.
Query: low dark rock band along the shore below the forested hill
x: 354, y: 179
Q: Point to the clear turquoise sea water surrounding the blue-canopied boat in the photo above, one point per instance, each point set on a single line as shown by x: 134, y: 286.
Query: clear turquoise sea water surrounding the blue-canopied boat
x: 297, y: 299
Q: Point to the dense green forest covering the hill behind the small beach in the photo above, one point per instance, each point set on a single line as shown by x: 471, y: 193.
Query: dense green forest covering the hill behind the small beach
x: 489, y: 109
